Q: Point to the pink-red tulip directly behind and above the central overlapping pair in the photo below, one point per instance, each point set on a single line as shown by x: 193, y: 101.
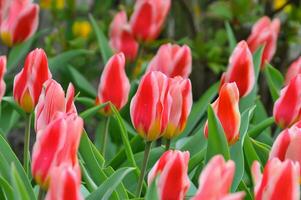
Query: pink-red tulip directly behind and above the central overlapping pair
x: 172, y: 60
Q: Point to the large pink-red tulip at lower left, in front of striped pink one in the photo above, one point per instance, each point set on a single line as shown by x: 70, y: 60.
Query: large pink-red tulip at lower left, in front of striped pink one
x: 56, y: 144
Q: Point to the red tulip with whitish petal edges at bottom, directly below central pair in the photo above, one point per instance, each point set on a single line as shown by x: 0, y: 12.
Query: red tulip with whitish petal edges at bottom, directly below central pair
x: 173, y: 182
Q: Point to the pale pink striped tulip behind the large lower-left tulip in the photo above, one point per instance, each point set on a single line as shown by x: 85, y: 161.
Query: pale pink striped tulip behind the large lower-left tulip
x: 52, y: 100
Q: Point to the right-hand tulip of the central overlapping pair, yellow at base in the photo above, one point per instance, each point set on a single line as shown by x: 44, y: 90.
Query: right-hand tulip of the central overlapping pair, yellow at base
x: 181, y: 94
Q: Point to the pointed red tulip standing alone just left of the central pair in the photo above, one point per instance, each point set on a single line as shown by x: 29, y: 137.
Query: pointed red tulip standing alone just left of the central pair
x: 114, y: 85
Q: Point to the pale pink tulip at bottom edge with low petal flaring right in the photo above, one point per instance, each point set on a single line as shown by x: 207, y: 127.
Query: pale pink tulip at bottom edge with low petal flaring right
x: 216, y: 179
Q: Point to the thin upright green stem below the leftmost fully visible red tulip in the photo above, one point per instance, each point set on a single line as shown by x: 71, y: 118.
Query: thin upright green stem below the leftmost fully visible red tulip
x: 26, y: 143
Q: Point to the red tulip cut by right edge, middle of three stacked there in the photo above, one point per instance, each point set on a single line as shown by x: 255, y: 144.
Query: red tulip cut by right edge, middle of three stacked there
x: 287, y: 107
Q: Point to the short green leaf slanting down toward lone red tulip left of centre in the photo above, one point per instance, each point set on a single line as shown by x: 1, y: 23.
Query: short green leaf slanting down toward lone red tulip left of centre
x: 81, y: 82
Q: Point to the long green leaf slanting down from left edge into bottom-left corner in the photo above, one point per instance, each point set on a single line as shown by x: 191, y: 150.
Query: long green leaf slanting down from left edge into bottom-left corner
x: 11, y: 158
